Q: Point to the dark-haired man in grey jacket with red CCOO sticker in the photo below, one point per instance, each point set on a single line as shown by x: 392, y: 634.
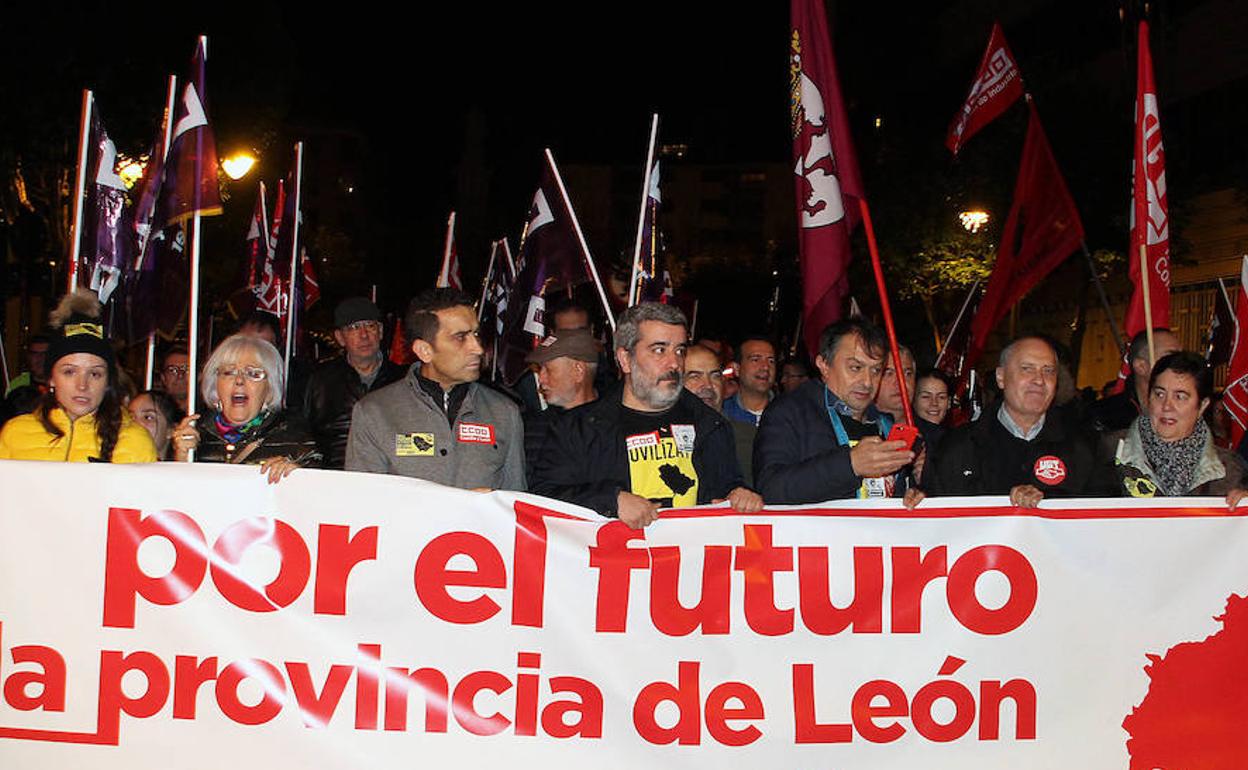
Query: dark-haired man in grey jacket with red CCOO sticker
x: 439, y: 424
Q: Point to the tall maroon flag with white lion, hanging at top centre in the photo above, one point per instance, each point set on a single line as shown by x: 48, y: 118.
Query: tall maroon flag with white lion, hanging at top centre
x: 829, y: 184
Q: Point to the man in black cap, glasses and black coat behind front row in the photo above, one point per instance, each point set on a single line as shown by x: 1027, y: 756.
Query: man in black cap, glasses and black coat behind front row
x: 336, y: 385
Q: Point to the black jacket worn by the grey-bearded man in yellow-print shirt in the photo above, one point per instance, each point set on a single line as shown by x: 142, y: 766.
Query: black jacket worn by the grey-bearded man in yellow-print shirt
x: 585, y: 460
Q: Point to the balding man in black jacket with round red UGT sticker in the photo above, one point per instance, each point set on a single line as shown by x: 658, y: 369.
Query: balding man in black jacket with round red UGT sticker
x: 1024, y: 449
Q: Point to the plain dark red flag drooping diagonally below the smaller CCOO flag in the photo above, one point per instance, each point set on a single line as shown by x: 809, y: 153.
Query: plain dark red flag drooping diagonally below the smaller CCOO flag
x: 1043, y: 229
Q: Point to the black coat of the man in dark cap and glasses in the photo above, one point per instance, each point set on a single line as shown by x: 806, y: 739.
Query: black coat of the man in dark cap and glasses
x: 331, y: 395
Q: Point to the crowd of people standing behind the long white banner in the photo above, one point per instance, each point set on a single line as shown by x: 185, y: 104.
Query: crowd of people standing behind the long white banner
x: 651, y: 421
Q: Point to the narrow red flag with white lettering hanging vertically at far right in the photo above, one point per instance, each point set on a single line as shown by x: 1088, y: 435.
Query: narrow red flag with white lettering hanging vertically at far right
x: 1150, y: 220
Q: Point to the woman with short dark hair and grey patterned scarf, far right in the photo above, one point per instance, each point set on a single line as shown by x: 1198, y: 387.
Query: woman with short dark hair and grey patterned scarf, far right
x: 1169, y: 451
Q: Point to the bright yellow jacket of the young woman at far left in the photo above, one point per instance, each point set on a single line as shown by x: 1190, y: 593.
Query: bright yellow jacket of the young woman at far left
x: 26, y: 439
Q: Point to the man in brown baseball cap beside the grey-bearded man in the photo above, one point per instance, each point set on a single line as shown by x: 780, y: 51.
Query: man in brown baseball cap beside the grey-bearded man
x: 567, y: 365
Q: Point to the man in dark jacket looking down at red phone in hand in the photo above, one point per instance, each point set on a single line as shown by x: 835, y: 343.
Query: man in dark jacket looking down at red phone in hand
x: 826, y: 440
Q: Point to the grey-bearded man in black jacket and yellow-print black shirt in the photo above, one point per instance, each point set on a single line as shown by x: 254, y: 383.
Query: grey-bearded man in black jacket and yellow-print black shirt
x: 648, y: 444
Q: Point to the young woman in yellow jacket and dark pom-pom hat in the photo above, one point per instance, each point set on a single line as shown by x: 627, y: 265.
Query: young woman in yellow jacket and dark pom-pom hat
x: 82, y: 417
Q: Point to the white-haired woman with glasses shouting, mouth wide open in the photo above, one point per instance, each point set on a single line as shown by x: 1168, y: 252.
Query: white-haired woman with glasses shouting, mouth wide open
x: 244, y: 385
